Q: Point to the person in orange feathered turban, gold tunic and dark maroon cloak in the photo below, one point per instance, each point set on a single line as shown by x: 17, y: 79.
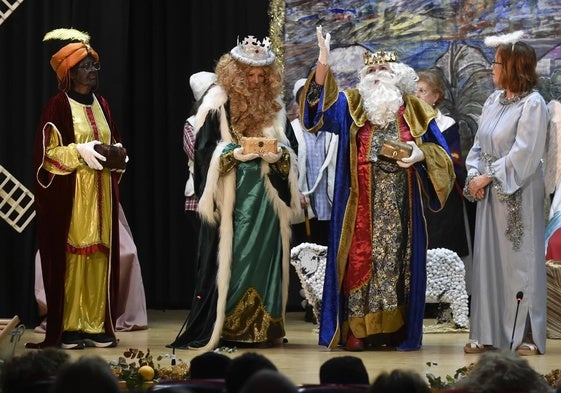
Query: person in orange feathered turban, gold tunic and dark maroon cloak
x: 77, y: 201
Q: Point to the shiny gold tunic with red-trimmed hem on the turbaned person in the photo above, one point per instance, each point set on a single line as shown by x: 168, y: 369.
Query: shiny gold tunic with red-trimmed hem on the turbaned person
x: 88, y: 233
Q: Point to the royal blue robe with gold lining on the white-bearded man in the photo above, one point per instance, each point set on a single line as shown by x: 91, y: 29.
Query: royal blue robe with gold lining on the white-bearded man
x: 342, y: 114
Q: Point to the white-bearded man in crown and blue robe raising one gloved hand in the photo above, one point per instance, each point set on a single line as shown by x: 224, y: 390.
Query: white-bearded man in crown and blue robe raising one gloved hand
x: 392, y: 158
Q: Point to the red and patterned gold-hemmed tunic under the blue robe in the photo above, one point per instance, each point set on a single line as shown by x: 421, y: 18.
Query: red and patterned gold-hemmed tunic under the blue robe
x: 378, y: 271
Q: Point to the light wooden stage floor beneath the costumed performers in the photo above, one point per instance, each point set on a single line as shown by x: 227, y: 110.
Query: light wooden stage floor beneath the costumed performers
x: 301, y: 357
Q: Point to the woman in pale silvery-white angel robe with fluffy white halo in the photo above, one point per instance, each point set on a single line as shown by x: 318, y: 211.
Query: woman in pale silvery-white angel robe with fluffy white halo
x: 505, y: 177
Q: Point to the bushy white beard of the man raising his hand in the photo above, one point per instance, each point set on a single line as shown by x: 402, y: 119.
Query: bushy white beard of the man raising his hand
x: 381, y: 98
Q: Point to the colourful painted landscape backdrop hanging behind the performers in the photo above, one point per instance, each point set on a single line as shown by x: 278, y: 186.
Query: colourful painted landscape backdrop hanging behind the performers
x: 447, y: 34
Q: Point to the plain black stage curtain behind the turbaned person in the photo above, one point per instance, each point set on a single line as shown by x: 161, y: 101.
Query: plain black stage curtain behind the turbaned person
x: 148, y: 49
